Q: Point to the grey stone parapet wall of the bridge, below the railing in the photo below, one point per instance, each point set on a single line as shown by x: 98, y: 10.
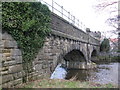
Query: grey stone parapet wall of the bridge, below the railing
x: 63, y: 26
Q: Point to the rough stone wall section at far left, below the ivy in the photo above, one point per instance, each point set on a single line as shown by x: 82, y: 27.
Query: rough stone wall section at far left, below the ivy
x: 11, y: 61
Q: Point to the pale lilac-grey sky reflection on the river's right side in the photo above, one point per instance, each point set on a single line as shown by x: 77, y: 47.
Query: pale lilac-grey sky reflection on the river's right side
x: 108, y: 74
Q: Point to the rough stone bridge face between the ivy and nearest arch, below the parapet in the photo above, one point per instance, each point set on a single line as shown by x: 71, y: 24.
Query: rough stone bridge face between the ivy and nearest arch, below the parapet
x: 53, y: 51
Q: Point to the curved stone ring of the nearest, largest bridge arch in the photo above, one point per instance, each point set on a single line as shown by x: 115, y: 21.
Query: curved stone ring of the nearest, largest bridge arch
x: 60, y: 58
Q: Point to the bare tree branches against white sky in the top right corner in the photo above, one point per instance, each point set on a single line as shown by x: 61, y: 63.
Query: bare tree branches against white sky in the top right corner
x: 112, y: 7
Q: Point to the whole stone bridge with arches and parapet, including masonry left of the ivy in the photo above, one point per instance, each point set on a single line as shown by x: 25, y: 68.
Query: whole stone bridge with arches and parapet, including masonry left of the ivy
x: 65, y: 44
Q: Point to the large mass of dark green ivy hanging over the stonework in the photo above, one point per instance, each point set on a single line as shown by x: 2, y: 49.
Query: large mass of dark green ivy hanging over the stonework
x: 28, y: 23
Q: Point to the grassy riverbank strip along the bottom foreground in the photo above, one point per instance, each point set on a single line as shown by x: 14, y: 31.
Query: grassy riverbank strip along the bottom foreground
x: 57, y: 83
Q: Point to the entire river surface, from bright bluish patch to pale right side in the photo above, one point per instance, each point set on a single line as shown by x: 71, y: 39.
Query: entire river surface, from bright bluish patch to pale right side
x: 104, y: 74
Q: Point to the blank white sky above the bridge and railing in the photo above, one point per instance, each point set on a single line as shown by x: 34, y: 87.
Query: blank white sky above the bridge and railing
x: 85, y: 11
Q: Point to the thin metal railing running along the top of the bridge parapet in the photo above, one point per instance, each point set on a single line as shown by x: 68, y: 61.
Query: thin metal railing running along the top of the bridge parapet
x: 60, y: 11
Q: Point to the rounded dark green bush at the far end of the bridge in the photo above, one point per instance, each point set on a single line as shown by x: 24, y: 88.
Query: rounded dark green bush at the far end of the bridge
x: 105, y: 45
